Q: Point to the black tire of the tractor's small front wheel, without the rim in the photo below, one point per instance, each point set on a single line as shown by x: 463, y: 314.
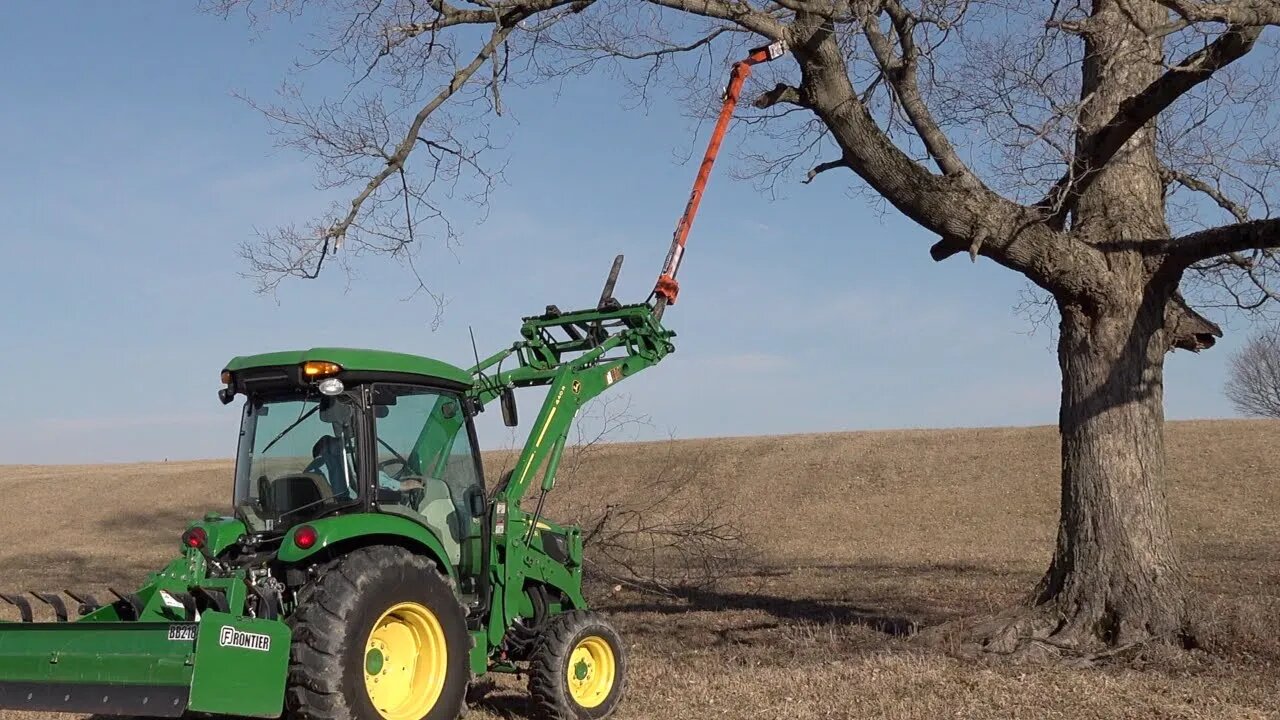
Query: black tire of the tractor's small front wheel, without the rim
x: 551, y: 672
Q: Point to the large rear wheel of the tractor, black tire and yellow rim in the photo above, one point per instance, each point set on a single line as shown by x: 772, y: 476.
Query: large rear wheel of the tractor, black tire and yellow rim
x: 381, y: 636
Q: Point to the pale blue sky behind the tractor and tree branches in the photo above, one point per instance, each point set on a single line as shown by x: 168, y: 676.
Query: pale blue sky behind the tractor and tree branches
x: 131, y: 176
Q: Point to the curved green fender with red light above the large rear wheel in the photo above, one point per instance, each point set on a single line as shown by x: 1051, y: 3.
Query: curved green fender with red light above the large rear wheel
x: 342, y: 534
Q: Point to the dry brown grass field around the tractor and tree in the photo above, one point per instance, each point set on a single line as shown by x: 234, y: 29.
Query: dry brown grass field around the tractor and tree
x: 858, y: 534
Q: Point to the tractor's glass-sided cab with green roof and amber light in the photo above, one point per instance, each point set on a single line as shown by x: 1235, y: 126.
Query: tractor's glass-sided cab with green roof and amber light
x: 333, y: 431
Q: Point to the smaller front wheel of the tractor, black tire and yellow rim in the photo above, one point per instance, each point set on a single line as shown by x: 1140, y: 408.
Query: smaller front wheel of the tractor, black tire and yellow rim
x: 579, y: 668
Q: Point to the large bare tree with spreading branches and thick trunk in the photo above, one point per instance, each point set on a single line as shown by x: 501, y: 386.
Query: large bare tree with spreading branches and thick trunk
x: 1094, y: 147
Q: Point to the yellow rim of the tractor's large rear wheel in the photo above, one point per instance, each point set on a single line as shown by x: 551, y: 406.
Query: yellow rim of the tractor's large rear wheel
x: 405, y: 663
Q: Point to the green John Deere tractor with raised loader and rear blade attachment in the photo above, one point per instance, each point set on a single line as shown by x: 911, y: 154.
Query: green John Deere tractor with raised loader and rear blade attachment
x: 367, y: 572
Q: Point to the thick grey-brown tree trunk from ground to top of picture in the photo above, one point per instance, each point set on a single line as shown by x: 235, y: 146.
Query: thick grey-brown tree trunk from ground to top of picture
x: 1116, y: 577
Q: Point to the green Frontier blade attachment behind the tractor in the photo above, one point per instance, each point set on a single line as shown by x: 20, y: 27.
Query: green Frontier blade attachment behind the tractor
x: 222, y: 666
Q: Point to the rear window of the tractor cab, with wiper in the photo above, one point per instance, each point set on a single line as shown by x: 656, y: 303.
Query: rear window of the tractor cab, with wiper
x: 298, y: 459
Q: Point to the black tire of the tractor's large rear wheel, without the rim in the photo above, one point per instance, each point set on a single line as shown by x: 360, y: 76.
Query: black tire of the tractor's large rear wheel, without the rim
x: 335, y: 622
